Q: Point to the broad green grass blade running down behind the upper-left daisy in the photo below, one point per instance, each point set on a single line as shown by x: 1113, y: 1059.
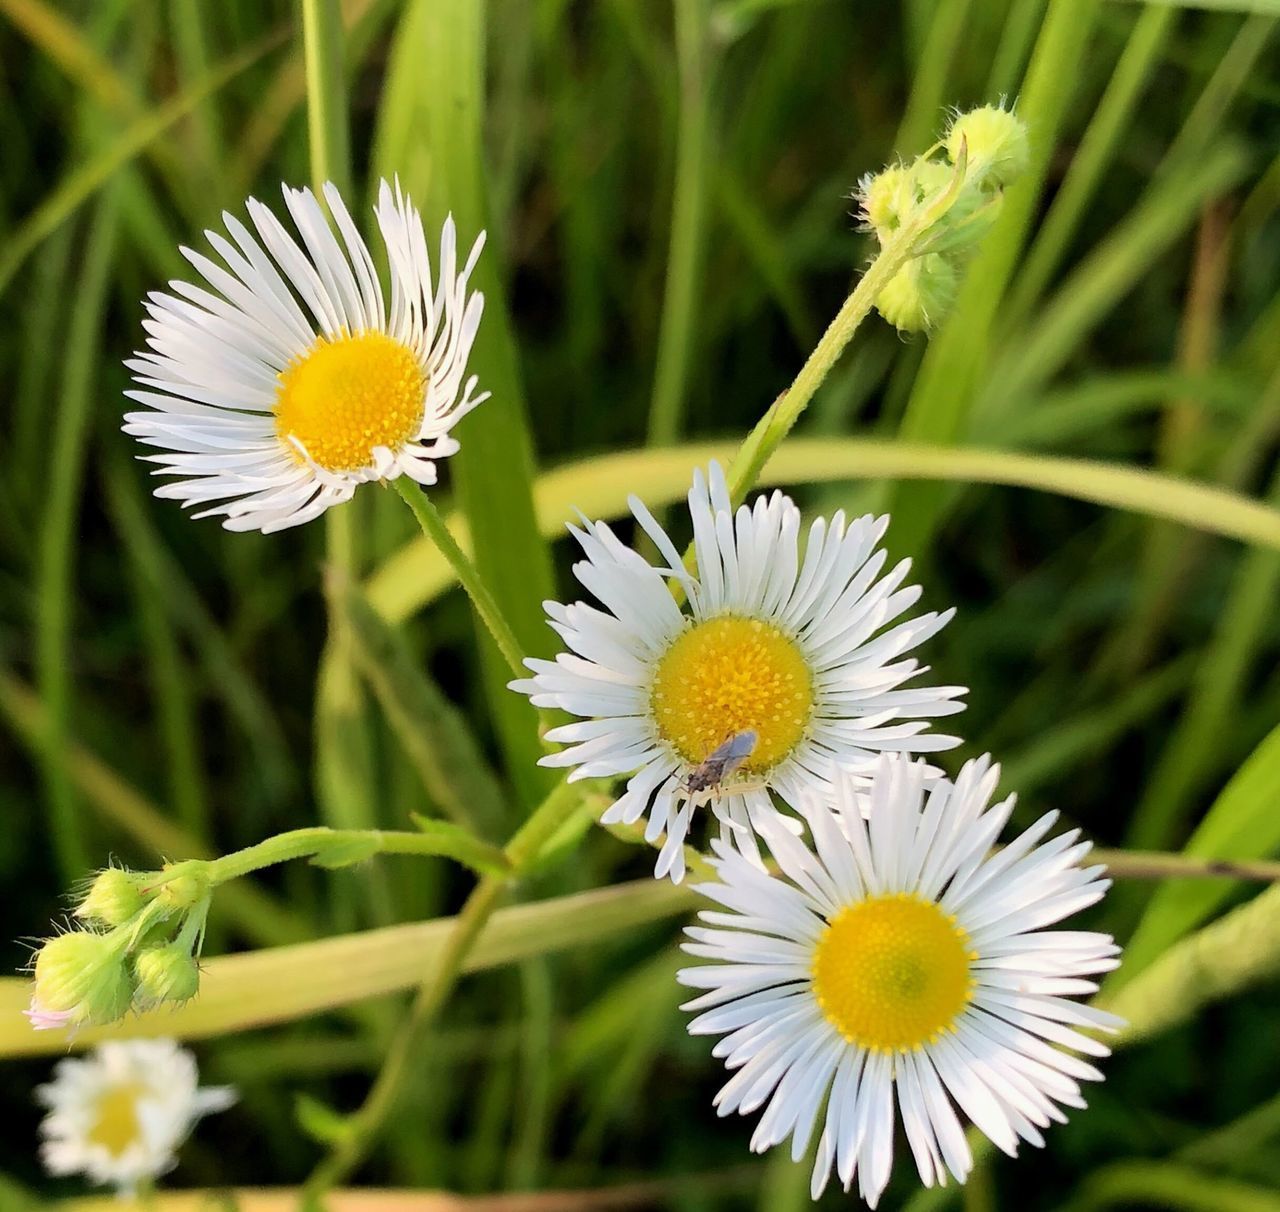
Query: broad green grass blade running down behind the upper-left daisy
x: 429, y: 134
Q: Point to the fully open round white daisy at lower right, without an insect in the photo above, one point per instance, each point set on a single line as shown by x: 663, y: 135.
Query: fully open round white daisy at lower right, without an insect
x: 902, y: 962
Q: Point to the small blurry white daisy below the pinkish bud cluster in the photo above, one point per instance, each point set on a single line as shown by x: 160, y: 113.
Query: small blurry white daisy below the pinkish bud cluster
x: 120, y: 1115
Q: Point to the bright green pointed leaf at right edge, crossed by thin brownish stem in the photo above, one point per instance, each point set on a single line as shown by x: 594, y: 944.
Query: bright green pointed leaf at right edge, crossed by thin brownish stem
x: 1244, y: 824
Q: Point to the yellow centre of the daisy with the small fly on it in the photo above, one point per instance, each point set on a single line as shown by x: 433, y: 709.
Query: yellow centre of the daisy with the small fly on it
x: 729, y: 675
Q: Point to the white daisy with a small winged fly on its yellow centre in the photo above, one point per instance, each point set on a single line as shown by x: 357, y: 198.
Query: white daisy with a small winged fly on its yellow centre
x: 801, y: 652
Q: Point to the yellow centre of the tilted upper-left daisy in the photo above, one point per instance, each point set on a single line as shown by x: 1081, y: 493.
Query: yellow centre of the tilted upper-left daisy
x: 348, y: 396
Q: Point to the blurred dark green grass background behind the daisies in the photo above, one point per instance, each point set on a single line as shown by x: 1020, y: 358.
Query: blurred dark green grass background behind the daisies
x: 668, y: 195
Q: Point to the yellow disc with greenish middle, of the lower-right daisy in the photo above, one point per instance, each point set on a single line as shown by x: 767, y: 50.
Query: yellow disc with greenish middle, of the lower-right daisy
x: 893, y: 973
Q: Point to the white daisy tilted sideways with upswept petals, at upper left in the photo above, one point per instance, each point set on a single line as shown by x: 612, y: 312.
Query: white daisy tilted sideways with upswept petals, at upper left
x: 290, y: 382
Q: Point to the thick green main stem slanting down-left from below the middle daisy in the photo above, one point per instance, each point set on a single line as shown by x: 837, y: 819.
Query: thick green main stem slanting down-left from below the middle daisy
x: 435, y: 991
